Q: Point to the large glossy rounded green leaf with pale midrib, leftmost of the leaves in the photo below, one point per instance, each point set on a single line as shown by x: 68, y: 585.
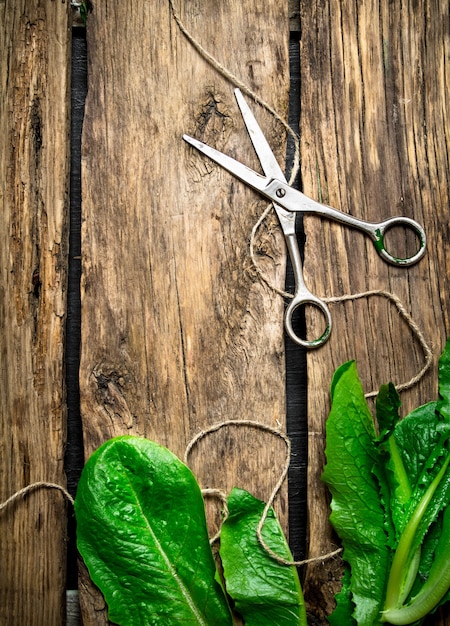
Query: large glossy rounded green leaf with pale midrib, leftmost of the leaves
x: 142, y: 533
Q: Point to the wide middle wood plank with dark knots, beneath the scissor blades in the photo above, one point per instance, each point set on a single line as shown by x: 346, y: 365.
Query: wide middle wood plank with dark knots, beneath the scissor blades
x: 178, y: 331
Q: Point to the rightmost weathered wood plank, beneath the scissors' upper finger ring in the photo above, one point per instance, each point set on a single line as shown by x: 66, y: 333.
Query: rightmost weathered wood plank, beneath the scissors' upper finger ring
x: 375, y: 143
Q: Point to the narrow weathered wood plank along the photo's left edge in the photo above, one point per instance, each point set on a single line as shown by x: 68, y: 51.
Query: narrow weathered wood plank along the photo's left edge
x: 34, y: 166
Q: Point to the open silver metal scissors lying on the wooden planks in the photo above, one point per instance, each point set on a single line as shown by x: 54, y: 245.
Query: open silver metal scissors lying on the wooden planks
x: 287, y: 202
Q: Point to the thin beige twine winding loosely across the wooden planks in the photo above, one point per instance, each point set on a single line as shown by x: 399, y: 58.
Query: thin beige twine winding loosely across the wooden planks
x: 428, y: 354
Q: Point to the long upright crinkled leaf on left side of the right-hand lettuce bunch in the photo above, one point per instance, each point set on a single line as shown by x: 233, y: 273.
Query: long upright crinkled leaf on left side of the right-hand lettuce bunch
x: 357, y: 512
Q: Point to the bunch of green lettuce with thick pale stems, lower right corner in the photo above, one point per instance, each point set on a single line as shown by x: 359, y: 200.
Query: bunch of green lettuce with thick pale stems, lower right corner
x: 390, y: 491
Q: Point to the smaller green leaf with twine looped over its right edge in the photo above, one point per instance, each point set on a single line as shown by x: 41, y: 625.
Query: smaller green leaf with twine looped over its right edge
x: 265, y: 592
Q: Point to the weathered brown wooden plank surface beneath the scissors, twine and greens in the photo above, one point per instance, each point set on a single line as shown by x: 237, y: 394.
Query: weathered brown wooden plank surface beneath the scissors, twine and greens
x: 178, y: 331
